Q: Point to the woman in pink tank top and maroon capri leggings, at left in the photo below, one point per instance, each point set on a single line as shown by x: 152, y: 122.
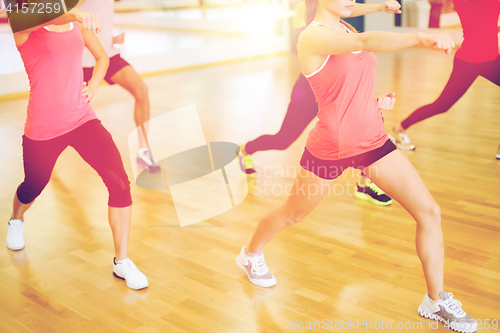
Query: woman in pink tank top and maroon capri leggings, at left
x: 60, y: 115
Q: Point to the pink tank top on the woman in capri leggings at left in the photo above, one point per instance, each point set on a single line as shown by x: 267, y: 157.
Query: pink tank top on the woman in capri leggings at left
x: 53, y: 62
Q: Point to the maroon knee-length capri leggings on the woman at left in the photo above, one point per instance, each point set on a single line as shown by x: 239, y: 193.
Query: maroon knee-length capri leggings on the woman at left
x: 94, y: 144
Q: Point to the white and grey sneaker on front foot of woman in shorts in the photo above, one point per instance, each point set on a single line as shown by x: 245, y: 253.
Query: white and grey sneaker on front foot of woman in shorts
x: 449, y: 311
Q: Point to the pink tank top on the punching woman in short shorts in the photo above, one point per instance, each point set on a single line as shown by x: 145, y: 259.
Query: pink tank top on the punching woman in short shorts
x: 350, y: 122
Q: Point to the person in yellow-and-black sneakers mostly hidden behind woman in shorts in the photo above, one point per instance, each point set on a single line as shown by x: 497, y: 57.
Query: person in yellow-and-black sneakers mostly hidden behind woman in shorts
x: 303, y: 108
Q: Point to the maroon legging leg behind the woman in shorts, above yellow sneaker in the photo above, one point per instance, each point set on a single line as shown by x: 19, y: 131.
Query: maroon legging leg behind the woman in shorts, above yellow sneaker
x: 301, y: 111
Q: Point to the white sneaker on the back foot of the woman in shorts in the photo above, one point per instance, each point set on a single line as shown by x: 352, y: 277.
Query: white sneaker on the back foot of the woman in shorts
x: 256, y: 269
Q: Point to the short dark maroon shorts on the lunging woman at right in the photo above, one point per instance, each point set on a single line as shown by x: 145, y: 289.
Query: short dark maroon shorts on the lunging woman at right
x: 331, y: 169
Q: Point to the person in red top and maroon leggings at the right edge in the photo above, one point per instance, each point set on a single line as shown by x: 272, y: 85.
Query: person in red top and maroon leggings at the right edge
x: 478, y: 56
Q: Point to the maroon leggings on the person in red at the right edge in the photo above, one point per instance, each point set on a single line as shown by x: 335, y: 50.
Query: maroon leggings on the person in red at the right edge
x: 463, y: 75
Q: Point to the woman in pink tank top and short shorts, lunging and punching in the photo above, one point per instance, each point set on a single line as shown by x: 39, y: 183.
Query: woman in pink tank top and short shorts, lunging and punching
x: 340, y: 67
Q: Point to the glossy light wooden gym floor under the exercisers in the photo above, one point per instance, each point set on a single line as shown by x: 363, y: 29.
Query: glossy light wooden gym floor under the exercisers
x: 348, y: 261
